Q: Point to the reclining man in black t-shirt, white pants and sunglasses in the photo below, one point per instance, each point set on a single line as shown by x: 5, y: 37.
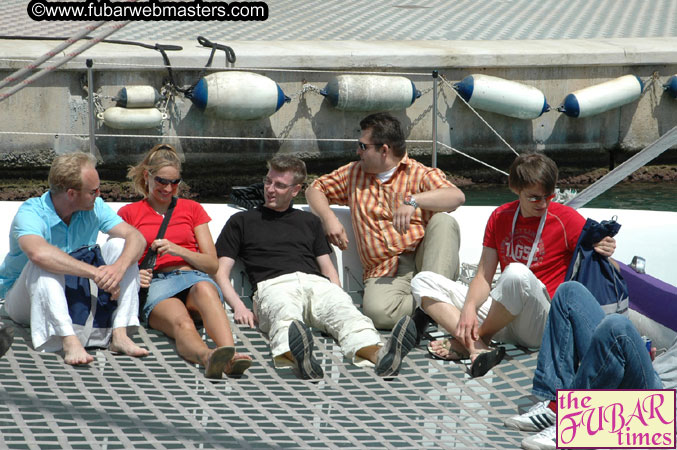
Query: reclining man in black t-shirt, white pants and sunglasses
x: 286, y: 255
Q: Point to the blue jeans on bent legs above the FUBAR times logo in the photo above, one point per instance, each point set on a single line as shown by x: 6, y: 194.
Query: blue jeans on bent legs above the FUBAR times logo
x: 584, y: 349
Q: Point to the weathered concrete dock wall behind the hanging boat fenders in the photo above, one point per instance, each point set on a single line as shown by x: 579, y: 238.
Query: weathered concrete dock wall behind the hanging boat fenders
x: 56, y: 107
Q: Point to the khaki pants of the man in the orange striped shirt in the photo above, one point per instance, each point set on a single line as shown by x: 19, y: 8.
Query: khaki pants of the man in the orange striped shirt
x: 387, y: 299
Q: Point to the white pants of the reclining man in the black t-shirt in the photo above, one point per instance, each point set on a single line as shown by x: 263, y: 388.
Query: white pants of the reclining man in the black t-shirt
x: 318, y: 303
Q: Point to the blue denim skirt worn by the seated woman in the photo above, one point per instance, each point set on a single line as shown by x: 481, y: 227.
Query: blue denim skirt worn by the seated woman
x: 168, y: 284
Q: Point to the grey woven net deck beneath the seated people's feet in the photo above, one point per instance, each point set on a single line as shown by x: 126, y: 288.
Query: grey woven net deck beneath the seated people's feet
x: 163, y: 402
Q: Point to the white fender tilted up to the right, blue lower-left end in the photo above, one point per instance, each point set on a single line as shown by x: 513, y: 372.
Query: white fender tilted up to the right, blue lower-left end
x: 602, y: 97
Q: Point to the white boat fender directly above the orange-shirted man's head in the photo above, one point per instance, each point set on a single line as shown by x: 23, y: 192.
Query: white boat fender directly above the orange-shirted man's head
x: 370, y: 92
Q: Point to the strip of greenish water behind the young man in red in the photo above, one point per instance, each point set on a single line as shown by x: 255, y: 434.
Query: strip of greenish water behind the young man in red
x: 650, y: 196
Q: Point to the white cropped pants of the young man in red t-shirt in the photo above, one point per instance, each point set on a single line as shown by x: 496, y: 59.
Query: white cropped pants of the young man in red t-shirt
x: 517, y: 289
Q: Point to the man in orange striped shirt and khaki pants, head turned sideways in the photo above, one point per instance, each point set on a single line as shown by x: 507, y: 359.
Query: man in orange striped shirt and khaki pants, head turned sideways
x: 393, y: 200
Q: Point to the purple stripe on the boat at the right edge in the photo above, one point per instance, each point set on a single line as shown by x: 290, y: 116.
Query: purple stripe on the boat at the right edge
x: 652, y: 297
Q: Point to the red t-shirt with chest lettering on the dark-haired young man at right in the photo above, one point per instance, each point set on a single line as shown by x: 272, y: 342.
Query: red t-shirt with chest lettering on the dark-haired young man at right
x: 558, y: 240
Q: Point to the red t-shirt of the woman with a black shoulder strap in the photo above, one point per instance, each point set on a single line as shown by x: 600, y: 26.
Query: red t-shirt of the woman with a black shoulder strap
x: 187, y: 215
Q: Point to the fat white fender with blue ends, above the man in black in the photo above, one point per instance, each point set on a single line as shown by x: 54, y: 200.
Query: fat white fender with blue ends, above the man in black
x: 238, y: 95
